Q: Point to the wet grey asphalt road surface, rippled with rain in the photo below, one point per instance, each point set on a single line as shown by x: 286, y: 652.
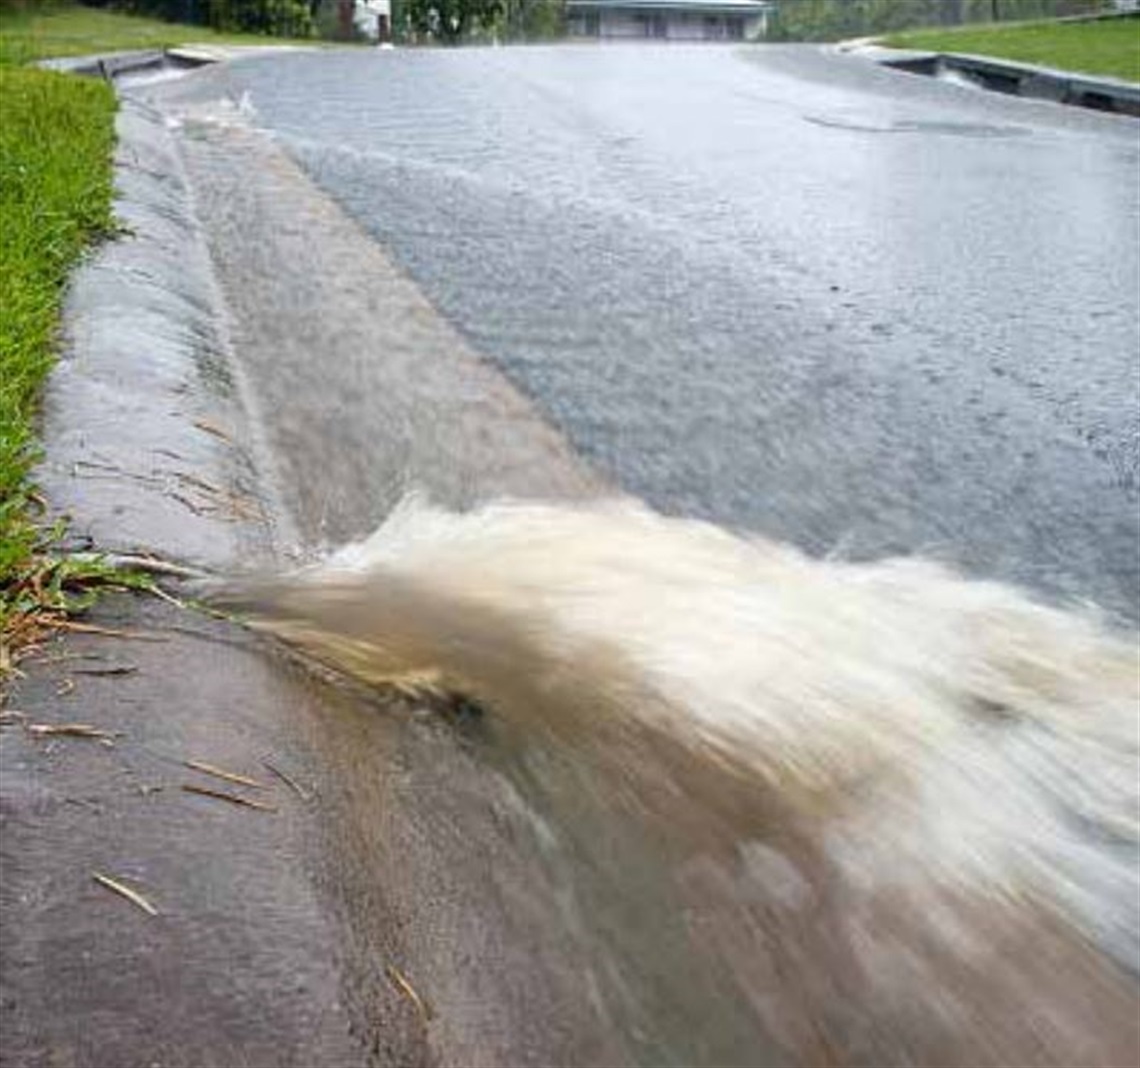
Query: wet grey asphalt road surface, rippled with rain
x: 860, y: 311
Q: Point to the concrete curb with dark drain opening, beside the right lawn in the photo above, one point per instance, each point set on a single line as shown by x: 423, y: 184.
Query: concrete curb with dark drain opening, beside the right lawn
x: 1005, y: 76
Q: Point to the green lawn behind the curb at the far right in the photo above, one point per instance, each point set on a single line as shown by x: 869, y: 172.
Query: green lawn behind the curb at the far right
x: 1109, y: 47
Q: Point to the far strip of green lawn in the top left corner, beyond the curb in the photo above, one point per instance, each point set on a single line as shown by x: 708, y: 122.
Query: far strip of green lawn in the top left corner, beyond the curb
x: 64, y: 30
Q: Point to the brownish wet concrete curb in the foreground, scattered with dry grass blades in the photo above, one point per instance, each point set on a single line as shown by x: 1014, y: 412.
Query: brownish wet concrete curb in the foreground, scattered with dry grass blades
x: 241, y: 965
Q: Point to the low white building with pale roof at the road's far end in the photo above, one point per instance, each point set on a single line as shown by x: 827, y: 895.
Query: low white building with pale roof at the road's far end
x: 670, y: 20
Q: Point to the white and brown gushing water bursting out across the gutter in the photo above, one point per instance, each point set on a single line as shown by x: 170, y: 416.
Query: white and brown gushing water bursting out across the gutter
x: 905, y: 805
